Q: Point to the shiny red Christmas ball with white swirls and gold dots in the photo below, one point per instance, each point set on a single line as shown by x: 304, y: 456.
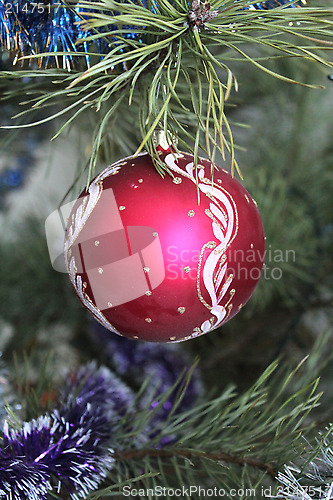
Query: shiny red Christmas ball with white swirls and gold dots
x: 164, y: 259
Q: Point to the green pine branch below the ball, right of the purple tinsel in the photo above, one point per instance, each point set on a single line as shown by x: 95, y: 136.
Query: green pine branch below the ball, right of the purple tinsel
x: 207, y: 426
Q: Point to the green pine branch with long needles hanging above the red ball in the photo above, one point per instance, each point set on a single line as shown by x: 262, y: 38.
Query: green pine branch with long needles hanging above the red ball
x: 175, y: 50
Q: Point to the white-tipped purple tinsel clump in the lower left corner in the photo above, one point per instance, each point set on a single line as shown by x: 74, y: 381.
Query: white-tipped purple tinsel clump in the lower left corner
x: 70, y: 448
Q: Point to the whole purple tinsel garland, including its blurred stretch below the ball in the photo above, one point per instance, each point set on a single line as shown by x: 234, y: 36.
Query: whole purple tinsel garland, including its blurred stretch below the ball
x: 70, y: 449
